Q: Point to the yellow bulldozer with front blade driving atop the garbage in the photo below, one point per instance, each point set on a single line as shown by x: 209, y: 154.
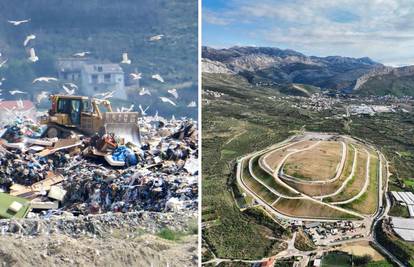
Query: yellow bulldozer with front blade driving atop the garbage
x: 89, y: 116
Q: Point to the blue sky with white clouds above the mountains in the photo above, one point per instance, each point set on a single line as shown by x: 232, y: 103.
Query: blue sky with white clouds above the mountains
x: 380, y: 29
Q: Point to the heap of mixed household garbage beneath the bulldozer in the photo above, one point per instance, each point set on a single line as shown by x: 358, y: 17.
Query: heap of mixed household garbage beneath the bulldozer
x: 98, y: 174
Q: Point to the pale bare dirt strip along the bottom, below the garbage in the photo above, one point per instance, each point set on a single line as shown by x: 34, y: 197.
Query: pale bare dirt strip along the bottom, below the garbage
x: 122, y: 250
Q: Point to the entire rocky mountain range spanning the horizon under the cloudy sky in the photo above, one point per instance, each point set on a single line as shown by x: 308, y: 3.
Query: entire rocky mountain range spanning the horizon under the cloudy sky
x: 267, y: 65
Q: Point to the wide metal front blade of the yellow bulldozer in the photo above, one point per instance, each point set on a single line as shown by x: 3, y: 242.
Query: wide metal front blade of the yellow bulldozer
x: 123, y: 125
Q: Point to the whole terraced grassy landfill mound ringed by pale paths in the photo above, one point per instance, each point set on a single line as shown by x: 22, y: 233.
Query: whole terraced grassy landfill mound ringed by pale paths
x: 327, y: 178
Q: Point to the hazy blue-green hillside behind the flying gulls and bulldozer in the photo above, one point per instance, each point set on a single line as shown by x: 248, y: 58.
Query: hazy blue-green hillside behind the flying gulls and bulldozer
x: 107, y: 29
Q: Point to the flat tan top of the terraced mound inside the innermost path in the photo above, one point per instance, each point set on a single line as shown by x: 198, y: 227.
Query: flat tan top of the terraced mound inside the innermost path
x: 318, y: 163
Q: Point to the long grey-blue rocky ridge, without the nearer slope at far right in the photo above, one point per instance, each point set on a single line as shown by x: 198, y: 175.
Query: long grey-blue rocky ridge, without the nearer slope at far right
x: 264, y: 64
